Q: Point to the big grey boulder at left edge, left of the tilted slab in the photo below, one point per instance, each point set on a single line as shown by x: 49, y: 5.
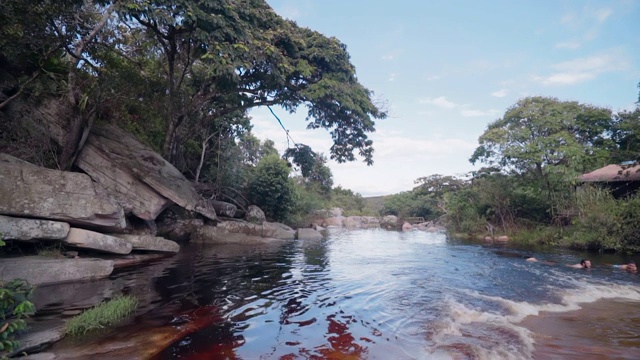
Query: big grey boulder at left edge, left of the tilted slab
x: 57, y: 195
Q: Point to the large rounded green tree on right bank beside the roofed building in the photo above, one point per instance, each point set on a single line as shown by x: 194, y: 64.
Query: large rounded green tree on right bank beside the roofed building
x: 541, y: 135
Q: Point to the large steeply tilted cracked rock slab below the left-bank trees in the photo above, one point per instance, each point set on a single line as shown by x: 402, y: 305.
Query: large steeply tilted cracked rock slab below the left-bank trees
x: 140, y: 179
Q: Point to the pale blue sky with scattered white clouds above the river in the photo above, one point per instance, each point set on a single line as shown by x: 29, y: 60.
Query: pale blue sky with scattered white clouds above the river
x: 445, y: 69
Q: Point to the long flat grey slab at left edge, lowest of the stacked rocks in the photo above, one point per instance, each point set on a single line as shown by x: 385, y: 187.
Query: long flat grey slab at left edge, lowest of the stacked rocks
x: 41, y: 271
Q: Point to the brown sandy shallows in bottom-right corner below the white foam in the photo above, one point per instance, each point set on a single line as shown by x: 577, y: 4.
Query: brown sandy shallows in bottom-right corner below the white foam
x: 605, y: 329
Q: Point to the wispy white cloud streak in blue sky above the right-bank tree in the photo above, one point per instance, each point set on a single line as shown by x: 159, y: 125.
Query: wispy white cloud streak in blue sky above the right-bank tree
x: 583, y: 69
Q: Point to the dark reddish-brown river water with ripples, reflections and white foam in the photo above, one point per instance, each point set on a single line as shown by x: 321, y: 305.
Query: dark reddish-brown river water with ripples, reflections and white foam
x: 368, y: 294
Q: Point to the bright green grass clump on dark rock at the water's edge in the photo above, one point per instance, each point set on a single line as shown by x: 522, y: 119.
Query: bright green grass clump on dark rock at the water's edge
x: 105, y: 314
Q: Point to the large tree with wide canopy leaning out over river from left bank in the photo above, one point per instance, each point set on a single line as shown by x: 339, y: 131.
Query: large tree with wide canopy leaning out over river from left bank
x: 226, y: 56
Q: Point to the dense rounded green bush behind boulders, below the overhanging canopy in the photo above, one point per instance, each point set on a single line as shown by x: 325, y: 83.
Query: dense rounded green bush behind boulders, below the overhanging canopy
x: 271, y: 188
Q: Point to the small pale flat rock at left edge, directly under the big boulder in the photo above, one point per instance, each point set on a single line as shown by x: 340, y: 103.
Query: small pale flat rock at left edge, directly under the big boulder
x: 26, y: 229
